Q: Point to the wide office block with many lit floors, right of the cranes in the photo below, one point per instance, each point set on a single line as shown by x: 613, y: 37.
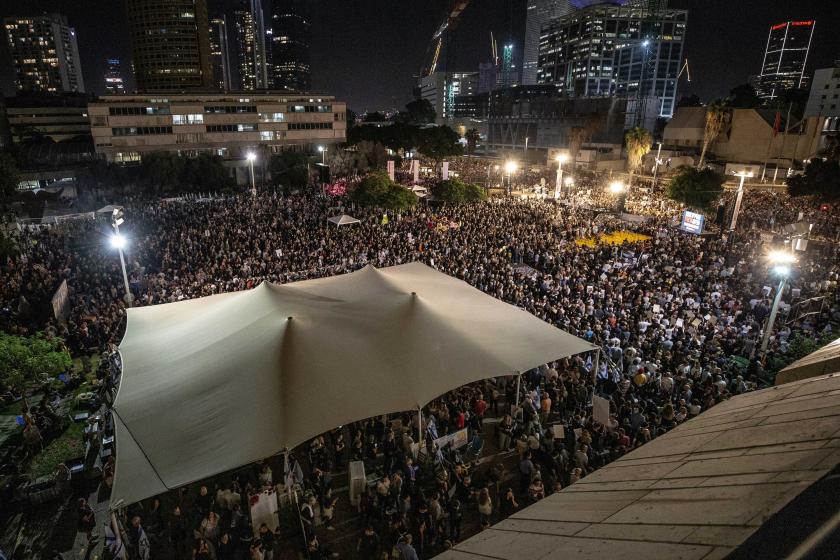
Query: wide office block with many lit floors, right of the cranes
x: 629, y: 51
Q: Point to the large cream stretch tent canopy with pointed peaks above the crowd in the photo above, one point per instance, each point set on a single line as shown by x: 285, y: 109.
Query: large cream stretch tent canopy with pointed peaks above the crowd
x: 213, y: 383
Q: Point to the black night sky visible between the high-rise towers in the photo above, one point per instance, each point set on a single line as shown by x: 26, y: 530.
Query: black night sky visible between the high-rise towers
x: 367, y: 52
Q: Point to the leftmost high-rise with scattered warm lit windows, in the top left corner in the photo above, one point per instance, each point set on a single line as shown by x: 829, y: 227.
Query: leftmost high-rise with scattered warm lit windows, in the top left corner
x: 44, y: 53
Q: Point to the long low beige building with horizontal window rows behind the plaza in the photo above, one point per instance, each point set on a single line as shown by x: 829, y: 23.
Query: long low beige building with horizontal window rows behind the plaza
x: 229, y: 125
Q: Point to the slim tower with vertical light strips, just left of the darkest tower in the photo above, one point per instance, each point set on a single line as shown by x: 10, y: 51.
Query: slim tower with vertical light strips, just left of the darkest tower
x: 250, y: 44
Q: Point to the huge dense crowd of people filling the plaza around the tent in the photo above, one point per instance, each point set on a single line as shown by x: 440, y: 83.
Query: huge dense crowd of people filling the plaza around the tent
x: 670, y: 312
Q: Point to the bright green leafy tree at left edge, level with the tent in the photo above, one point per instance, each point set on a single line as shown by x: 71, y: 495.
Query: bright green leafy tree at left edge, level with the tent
x: 27, y: 359
